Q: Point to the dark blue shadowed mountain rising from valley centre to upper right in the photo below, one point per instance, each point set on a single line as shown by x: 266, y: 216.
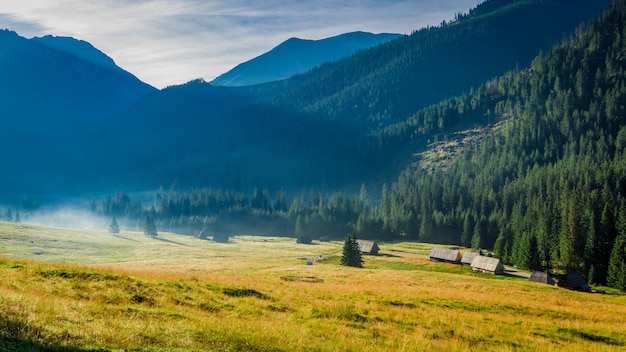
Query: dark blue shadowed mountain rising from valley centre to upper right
x: 317, y: 132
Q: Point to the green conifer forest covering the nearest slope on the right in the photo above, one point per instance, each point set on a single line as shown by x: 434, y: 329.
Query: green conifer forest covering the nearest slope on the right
x: 547, y: 188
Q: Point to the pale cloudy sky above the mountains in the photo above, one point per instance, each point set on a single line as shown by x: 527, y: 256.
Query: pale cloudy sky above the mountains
x: 169, y: 42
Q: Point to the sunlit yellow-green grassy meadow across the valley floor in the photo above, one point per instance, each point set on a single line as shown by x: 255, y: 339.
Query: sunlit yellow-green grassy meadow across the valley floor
x: 80, y: 290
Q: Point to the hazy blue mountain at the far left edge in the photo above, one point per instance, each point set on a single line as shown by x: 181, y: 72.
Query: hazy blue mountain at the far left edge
x: 52, y: 93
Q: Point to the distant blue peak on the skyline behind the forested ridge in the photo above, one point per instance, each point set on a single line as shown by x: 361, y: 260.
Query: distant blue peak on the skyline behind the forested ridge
x: 295, y: 56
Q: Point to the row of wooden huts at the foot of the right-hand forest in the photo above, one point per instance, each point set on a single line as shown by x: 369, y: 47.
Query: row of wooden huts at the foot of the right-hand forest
x: 489, y: 265
